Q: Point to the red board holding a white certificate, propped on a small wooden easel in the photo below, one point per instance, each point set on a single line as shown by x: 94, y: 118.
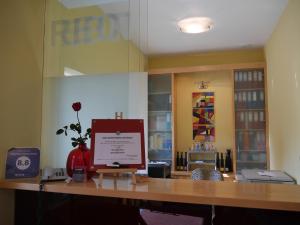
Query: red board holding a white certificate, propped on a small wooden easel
x: 119, y: 141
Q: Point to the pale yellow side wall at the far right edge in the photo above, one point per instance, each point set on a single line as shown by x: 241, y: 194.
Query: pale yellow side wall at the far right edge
x: 283, y: 64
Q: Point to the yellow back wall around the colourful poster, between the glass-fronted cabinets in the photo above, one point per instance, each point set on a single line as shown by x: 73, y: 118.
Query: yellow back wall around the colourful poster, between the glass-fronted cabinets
x: 221, y: 84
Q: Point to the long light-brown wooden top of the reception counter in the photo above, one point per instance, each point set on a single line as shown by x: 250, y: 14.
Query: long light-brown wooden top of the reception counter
x: 249, y: 195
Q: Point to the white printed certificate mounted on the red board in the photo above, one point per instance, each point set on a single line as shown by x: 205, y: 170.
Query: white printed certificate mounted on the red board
x: 124, y: 148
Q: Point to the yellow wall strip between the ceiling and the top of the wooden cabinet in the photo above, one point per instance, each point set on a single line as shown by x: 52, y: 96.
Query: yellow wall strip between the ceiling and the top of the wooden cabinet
x: 210, y: 58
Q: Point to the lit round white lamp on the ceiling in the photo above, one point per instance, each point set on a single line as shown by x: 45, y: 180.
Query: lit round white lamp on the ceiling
x: 195, y: 25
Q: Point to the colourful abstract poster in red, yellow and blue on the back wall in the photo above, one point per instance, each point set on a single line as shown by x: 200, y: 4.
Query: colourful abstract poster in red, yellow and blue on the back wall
x: 203, y: 116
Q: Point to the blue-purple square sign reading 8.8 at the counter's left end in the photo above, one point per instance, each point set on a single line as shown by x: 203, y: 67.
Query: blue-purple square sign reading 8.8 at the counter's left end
x: 22, y: 163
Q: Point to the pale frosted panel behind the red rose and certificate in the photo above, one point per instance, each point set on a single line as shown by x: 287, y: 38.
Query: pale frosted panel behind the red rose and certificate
x: 101, y: 96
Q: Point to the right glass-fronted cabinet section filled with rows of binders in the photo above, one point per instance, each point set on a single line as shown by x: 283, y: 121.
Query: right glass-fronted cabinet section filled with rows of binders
x: 250, y: 137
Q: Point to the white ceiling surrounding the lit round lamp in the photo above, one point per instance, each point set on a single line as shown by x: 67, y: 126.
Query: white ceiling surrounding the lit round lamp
x: 237, y: 23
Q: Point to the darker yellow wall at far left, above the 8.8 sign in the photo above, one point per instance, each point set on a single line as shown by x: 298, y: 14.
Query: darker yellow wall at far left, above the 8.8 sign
x: 21, y: 57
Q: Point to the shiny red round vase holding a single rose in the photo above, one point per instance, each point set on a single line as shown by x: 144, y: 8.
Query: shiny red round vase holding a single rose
x: 78, y: 158
